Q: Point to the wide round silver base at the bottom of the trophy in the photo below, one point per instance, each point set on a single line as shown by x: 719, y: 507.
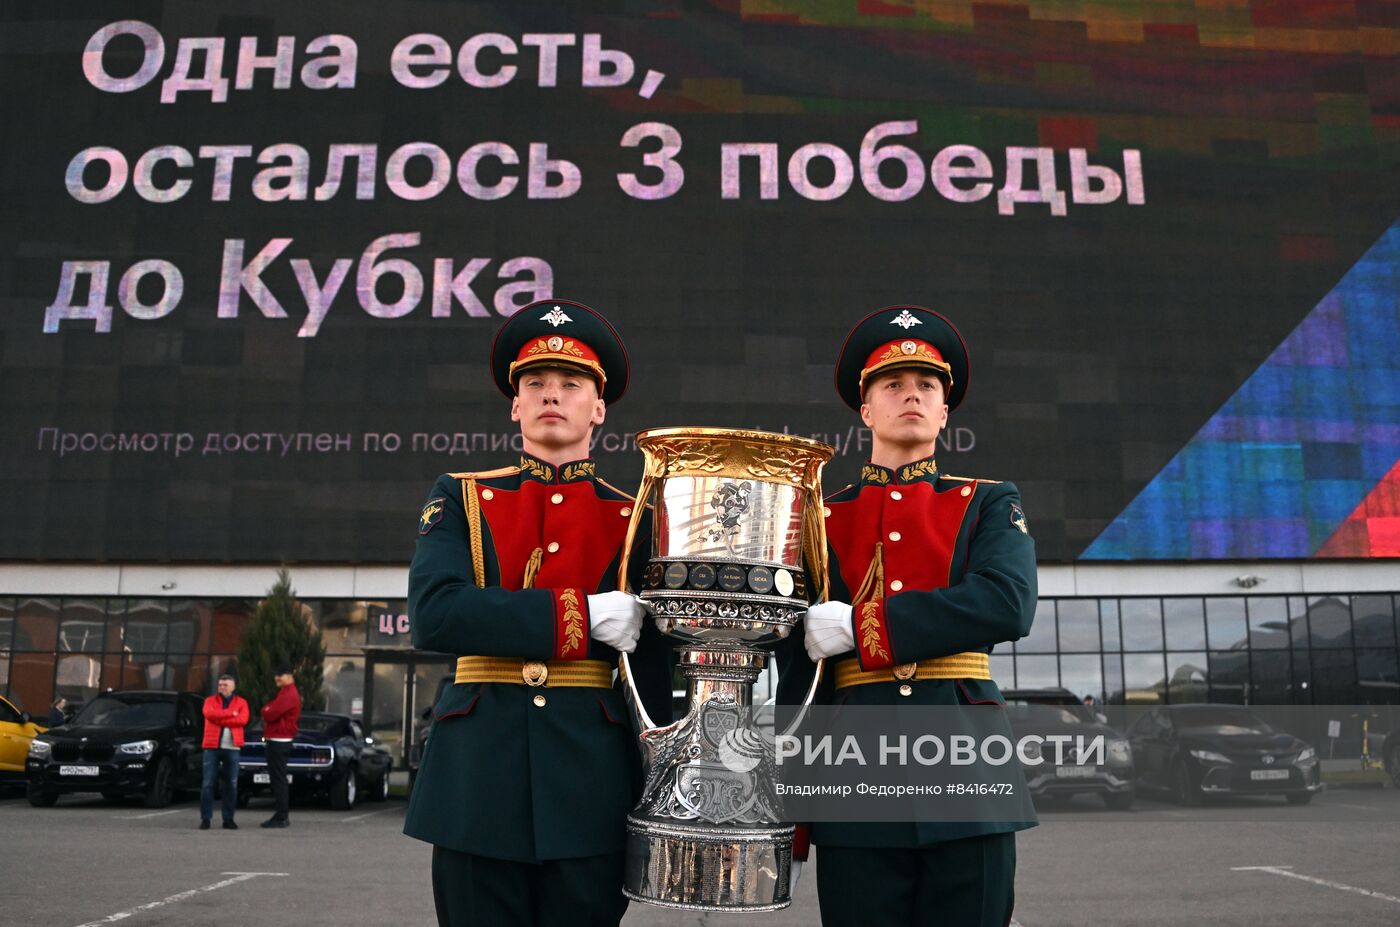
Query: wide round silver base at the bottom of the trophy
x: 709, y: 869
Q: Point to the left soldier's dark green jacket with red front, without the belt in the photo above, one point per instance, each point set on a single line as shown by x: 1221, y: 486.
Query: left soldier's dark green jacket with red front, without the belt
x: 503, y: 776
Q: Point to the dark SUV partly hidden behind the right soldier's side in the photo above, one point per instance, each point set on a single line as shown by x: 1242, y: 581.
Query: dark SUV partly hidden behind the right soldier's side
x: 1044, y: 720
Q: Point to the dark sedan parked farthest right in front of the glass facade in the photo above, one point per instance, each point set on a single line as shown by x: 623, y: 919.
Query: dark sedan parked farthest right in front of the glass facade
x: 1193, y: 751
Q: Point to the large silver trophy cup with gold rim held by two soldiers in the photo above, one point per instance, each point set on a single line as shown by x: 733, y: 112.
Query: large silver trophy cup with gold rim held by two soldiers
x: 740, y: 550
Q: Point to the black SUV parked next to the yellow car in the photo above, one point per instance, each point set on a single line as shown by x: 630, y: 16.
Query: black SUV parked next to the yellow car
x: 121, y: 744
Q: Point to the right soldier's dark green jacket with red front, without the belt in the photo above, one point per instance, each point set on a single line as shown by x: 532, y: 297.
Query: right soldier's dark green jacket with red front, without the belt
x: 957, y: 573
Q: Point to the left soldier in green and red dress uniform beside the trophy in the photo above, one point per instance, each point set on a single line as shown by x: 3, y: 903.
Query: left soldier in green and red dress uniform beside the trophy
x: 533, y: 764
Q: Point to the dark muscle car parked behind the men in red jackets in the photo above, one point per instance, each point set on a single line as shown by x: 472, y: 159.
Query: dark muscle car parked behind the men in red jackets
x: 331, y: 758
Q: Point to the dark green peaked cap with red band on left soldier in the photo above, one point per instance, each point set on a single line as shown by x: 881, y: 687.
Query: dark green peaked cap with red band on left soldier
x: 561, y: 334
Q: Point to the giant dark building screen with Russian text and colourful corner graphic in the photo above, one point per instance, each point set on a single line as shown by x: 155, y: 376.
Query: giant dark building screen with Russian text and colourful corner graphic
x: 254, y: 256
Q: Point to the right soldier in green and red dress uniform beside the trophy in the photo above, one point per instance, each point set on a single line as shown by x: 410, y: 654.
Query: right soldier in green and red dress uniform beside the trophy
x: 929, y: 572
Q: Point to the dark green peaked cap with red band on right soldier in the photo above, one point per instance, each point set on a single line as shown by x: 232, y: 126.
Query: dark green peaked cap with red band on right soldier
x: 902, y: 337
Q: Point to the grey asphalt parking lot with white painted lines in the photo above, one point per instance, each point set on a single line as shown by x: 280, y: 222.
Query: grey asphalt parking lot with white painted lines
x: 1251, y: 862
